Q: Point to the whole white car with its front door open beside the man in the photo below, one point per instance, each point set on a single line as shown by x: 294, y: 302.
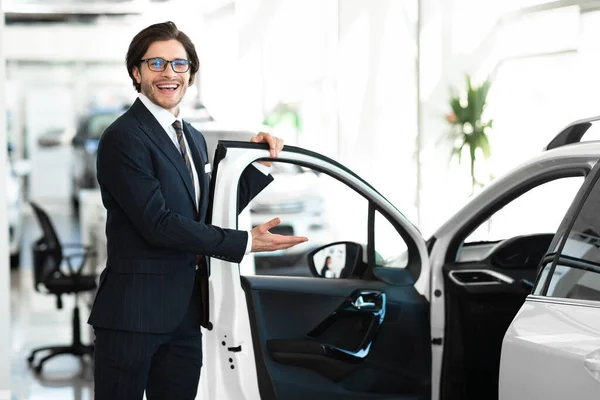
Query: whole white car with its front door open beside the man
x: 409, y: 318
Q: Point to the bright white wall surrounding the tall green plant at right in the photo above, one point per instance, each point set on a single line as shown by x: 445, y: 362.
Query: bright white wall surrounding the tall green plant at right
x: 540, y: 82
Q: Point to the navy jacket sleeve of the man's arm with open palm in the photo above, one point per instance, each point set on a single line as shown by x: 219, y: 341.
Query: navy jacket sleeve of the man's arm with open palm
x: 125, y: 172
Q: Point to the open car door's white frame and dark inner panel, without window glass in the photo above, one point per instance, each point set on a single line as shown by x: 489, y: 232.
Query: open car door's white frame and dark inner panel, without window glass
x: 258, y: 324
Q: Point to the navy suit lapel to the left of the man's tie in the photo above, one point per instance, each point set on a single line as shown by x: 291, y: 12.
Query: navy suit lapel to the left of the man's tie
x: 157, y: 134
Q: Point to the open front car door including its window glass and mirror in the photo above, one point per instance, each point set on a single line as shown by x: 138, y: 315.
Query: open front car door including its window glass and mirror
x: 354, y: 326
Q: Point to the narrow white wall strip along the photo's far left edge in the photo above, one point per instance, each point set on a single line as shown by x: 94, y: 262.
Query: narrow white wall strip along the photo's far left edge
x: 5, y: 348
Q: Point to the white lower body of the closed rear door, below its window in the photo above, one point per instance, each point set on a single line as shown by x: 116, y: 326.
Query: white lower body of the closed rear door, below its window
x: 545, y: 351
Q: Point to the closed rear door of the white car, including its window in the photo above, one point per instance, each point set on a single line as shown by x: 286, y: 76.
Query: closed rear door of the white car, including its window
x: 551, y: 350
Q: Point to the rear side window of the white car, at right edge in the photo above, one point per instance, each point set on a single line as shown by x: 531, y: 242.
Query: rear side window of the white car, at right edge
x: 577, y: 273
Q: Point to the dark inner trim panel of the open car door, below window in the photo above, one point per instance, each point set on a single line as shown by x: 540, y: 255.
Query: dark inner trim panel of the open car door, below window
x: 288, y: 309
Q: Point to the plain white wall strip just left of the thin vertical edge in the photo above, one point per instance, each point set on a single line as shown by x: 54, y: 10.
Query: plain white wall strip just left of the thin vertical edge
x: 377, y: 98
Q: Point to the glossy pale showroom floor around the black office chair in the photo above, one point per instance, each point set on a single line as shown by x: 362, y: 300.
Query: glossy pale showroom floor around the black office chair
x: 37, y: 322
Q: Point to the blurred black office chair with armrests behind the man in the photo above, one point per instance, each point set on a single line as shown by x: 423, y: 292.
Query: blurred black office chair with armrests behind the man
x: 48, y: 257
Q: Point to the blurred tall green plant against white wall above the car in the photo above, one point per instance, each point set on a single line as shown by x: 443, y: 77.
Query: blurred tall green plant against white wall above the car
x: 468, y: 130
